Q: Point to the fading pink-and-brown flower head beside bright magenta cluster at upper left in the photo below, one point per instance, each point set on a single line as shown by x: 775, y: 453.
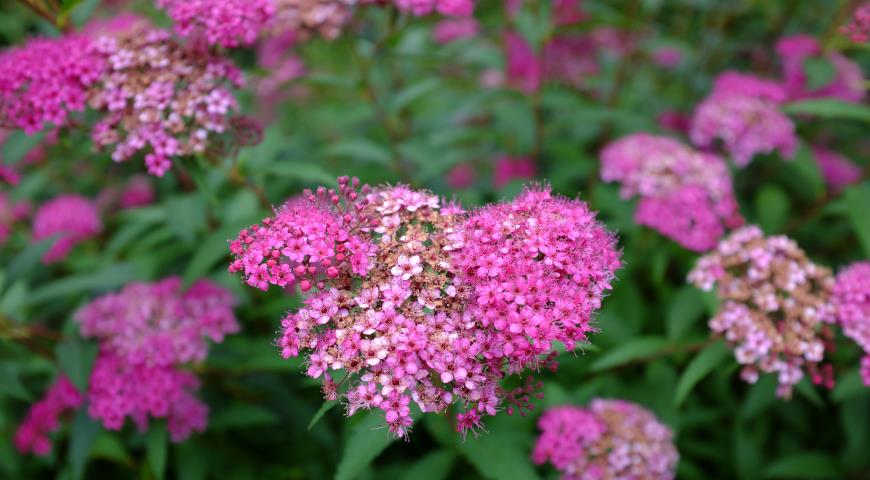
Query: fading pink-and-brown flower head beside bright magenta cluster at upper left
x: 158, y: 97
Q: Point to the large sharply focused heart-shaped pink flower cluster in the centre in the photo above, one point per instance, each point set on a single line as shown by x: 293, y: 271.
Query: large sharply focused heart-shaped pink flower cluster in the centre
x: 414, y: 302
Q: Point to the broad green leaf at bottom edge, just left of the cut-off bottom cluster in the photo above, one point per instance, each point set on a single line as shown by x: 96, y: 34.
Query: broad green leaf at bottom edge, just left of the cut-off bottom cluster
x: 498, y: 456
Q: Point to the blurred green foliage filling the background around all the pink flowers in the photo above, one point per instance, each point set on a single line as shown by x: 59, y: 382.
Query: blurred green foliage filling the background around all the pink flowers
x: 386, y: 103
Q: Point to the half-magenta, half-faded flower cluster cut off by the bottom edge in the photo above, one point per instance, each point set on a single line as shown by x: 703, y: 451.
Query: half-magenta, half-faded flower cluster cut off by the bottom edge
x: 610, y: 440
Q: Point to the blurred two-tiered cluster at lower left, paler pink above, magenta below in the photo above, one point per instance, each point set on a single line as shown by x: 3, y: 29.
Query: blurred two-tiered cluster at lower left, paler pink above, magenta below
x: 146, y: 332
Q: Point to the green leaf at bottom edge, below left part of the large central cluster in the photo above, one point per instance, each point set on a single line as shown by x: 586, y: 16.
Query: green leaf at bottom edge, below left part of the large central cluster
x: 369, y: 438
